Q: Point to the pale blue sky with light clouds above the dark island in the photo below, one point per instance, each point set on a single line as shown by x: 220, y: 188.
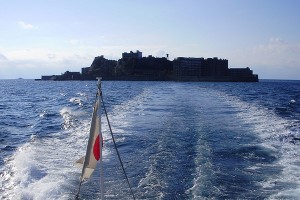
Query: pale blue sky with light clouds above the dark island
x: 53, y: 36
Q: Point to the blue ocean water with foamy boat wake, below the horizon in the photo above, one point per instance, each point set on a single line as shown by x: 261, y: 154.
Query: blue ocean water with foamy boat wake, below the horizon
x: 177, y: 140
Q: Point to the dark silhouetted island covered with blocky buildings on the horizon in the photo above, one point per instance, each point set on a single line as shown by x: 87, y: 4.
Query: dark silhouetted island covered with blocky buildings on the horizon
x: 134, y: 67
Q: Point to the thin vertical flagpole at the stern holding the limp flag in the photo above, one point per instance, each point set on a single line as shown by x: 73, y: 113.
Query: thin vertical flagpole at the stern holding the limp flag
x: 100, y: 140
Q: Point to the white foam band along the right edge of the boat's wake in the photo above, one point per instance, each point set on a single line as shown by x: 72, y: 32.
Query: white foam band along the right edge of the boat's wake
x: 275, y: 133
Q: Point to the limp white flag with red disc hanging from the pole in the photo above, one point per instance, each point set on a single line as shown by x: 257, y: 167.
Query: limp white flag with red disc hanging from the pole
x: 93, y: 148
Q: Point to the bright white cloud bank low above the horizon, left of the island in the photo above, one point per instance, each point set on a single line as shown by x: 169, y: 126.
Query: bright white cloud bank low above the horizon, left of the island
x: 32, y: 63
